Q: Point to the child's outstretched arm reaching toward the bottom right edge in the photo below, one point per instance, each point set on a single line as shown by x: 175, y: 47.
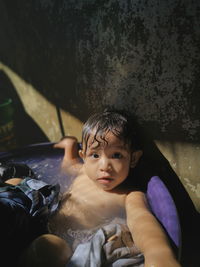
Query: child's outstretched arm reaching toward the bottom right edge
x: 147, y: 233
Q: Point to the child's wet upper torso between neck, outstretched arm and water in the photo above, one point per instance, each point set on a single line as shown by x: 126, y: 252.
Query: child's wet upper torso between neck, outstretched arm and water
x: 89, y: 206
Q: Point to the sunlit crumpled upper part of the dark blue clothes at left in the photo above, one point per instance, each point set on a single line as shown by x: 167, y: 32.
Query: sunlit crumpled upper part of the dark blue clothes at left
x: 35, y: 196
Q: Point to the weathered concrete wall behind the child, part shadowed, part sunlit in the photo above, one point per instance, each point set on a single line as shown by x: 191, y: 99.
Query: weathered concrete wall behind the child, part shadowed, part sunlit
x: 81, y: 55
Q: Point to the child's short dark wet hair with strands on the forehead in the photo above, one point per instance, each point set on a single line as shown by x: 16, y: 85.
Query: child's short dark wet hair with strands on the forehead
x: 117, y: 122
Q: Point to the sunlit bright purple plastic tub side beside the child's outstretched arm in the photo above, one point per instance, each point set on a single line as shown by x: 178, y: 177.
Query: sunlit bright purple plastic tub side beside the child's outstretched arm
x: 163, y: 206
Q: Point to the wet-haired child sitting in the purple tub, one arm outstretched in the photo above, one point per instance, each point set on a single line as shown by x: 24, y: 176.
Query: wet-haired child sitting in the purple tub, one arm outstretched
x: 102, y: 191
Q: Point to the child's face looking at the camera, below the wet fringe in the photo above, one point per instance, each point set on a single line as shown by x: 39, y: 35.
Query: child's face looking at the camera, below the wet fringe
x: 107, y: 164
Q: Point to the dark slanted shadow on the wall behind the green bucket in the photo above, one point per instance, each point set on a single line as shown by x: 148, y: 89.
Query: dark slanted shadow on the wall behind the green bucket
x: 26, y: 130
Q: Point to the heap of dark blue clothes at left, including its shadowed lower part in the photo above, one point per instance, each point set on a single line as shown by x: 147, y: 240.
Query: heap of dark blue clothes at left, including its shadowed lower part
x: 24, y: 209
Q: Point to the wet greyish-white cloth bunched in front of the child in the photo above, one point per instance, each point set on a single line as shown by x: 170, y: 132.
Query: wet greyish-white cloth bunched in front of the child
x: 111, y: 246
